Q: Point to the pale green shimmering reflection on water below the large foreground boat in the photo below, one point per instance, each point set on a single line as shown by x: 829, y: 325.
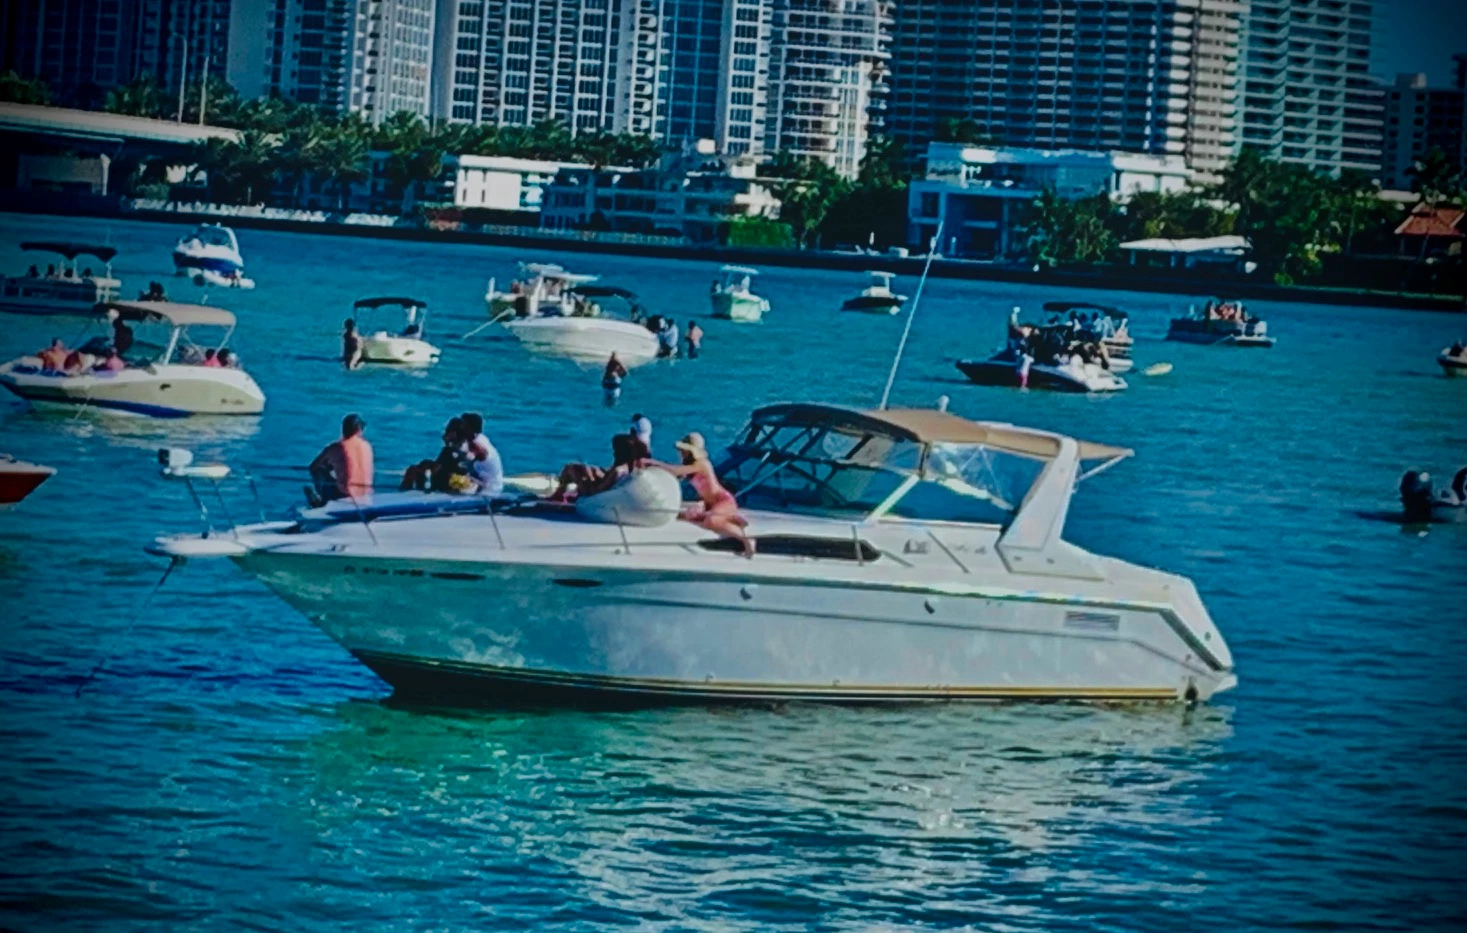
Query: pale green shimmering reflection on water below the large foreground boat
x: 988, y: 783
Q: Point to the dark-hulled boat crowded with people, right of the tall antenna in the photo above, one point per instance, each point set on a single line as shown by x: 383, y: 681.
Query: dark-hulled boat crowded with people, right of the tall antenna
x: 1061, y: 356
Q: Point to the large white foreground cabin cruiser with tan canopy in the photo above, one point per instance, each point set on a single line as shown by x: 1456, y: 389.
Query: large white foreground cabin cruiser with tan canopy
x: 903, y: 555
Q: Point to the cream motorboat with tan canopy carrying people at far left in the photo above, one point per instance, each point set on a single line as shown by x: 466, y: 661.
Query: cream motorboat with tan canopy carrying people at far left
x: 169, y: 378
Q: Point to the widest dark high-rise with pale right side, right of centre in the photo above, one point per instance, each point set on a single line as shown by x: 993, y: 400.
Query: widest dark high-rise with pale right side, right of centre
x: 1138, y: 76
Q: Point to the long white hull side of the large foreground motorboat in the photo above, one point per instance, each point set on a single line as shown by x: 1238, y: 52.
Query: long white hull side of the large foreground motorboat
x: 517, y: 630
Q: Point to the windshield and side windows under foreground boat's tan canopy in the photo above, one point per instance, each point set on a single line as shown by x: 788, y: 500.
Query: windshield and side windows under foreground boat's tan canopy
x: 857, y: 476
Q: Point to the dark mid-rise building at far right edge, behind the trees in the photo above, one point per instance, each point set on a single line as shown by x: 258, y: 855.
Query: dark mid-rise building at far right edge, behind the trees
x: 1418, y: 120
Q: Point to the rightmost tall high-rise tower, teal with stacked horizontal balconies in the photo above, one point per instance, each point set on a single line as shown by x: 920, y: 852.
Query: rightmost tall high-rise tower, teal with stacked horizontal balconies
x: 1309, y: 98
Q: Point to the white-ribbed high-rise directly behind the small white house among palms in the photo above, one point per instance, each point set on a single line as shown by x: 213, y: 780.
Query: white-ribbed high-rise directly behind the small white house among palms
x: 593, y: 65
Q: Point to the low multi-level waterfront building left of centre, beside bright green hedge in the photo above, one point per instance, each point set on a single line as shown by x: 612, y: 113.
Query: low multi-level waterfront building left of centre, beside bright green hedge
x: 693, y: 194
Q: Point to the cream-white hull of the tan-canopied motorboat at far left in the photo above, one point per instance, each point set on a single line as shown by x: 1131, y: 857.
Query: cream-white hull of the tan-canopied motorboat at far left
x: 158, y: 391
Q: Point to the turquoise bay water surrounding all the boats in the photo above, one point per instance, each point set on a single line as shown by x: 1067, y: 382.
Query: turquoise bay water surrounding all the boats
x: 233, y: 768
